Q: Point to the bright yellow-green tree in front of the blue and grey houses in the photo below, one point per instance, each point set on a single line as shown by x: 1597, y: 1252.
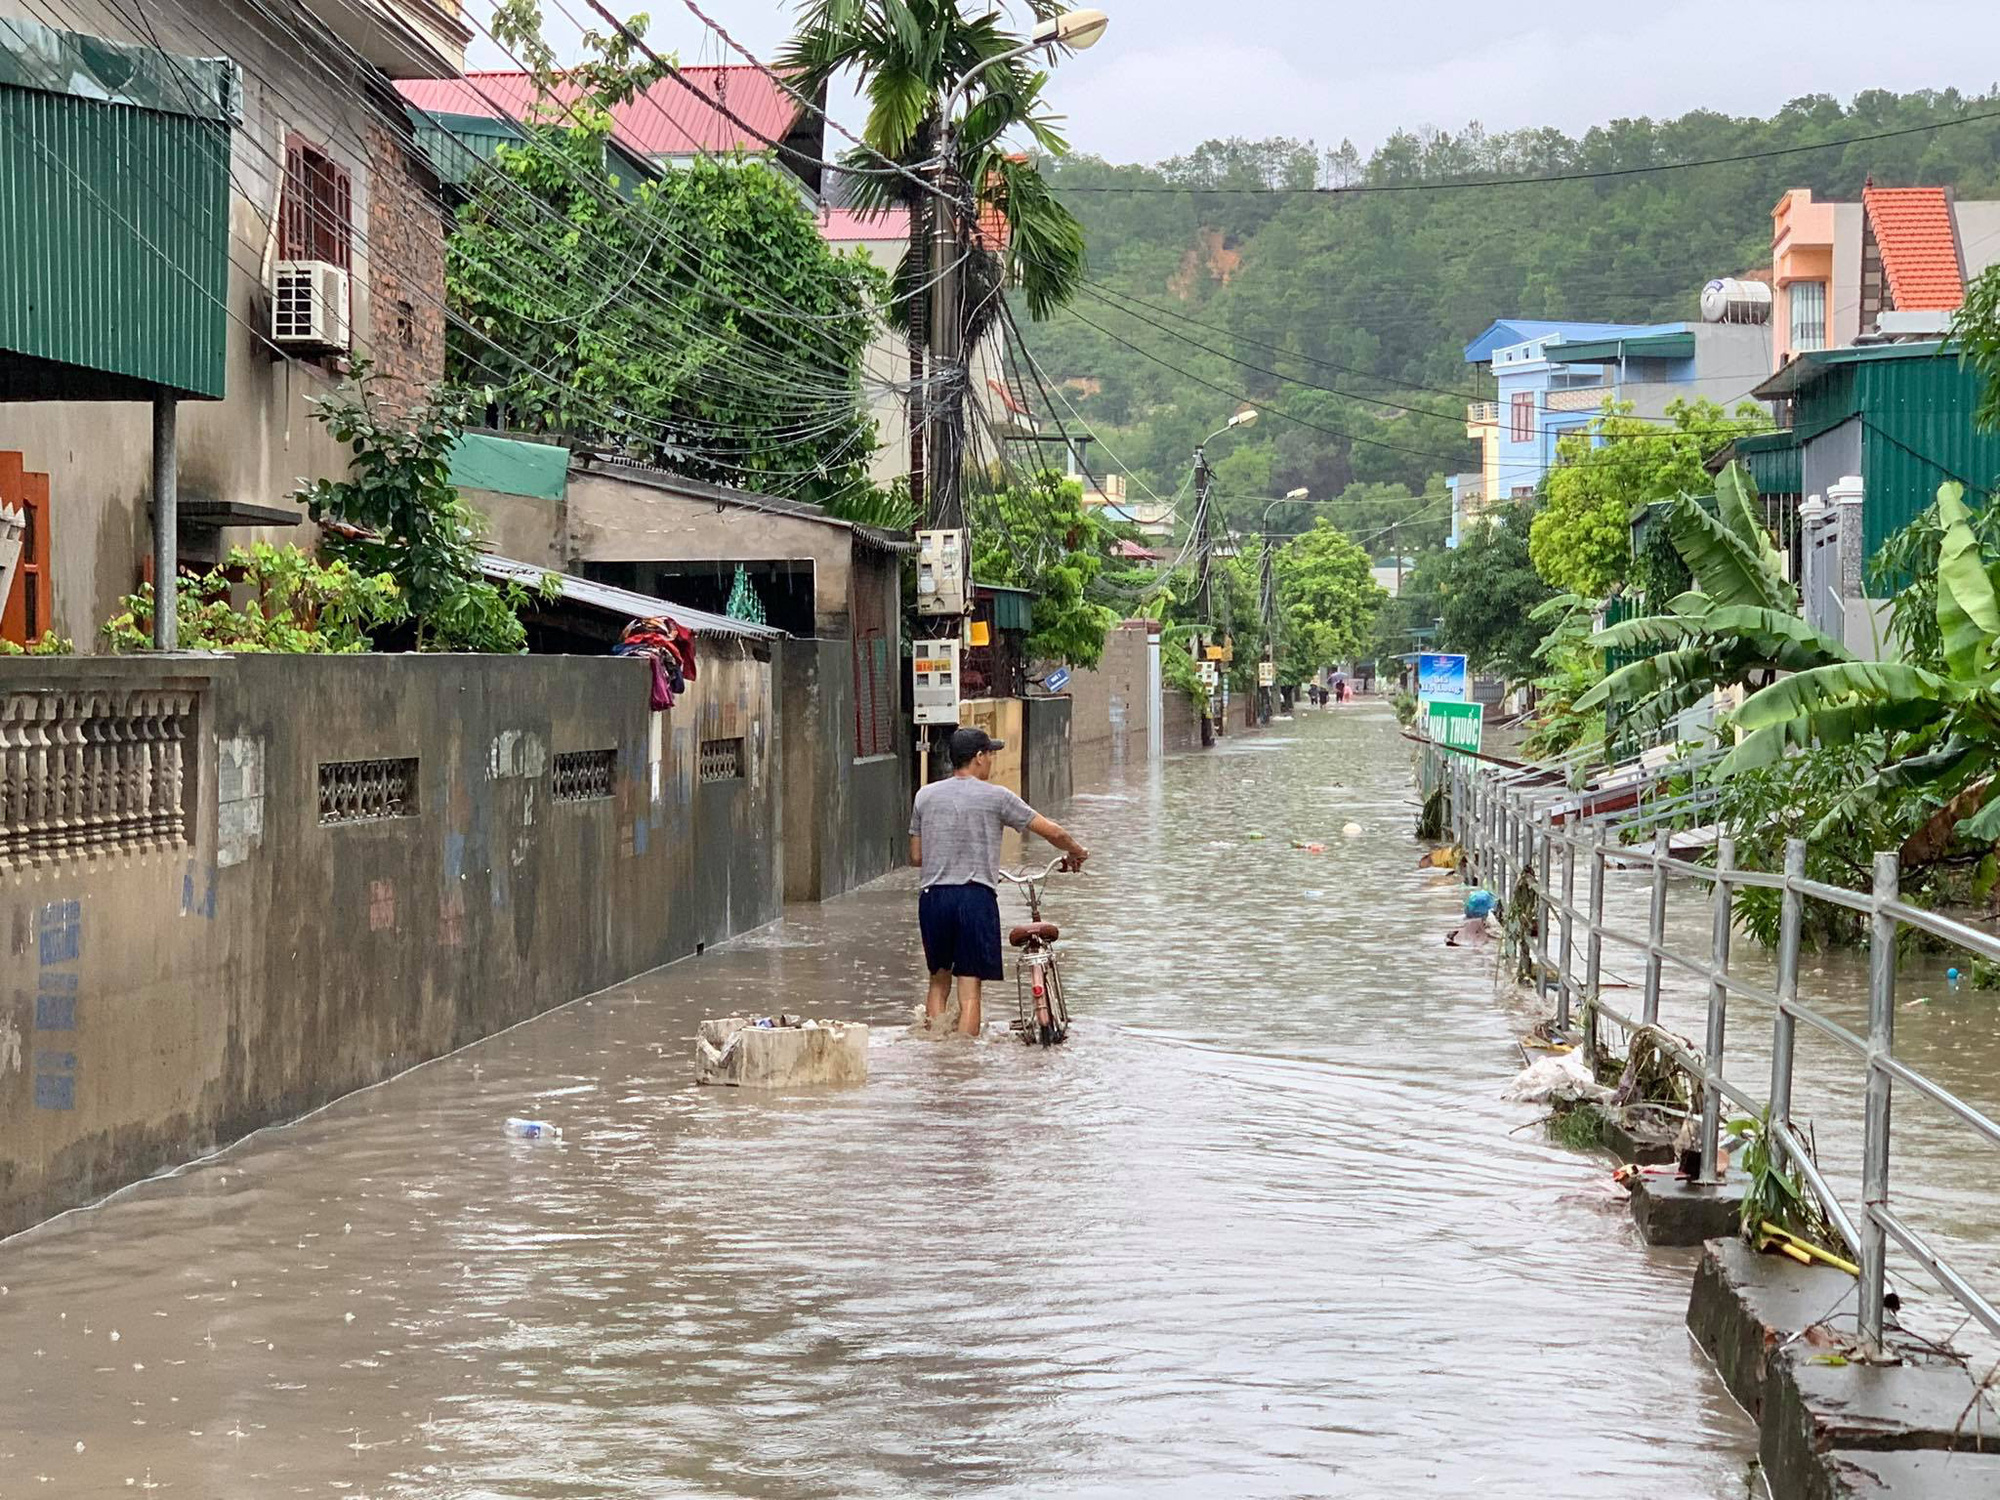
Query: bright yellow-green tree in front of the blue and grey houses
x: 1607, y: 473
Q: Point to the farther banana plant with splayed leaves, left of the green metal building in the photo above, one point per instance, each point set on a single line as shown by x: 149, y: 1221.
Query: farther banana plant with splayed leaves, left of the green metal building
x: 1737, y: 625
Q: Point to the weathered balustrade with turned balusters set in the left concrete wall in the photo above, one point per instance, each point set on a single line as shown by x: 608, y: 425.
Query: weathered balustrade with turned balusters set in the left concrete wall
x: 93, y: 773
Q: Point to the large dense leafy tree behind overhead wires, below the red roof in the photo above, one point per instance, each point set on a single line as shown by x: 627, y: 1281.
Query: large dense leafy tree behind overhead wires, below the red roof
x: 697, y: 321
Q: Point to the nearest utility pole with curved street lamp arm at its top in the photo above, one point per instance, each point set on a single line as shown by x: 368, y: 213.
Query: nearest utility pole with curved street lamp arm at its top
x: 1071, y: 31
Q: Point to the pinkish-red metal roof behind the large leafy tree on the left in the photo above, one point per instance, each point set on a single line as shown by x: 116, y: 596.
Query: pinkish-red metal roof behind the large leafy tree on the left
x: 665, y: 121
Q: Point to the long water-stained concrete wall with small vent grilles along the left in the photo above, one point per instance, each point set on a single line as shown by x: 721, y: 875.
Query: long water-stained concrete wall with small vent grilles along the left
x: 275, y: 963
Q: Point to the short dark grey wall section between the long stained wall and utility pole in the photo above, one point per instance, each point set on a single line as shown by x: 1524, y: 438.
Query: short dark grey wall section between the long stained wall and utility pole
x: 845, y: 821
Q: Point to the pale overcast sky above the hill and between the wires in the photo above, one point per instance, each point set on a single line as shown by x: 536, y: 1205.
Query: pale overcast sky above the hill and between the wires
x: 1171, y: 75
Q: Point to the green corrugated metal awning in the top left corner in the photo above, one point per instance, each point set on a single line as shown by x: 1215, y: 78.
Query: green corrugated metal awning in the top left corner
x: 115, y: 165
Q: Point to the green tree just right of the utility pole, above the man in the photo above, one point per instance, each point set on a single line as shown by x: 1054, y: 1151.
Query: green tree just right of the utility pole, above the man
x: 1039, y: 537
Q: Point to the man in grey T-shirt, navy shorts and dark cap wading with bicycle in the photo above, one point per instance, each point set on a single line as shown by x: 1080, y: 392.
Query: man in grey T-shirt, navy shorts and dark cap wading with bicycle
x: 955, y: 839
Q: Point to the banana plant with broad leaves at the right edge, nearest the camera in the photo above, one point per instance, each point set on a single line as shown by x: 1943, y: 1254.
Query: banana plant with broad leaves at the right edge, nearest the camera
x: 1943, y: 729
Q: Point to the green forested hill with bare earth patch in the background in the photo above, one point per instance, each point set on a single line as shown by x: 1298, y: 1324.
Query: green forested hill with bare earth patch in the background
x: 1365, y: 301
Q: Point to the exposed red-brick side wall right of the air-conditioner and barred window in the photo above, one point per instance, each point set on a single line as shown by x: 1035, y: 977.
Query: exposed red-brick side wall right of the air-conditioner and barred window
x: 407, y: 225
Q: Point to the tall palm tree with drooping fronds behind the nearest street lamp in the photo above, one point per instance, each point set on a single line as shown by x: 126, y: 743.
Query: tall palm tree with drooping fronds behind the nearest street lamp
x: 913, y: 55
